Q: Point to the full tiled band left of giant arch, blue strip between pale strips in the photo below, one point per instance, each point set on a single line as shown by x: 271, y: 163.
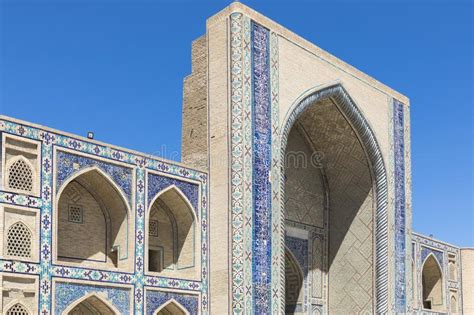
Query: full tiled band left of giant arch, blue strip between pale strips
x: 254, y: 98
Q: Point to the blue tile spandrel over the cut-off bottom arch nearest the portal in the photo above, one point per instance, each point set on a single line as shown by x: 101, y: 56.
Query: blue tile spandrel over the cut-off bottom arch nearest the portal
x: 155, y: 299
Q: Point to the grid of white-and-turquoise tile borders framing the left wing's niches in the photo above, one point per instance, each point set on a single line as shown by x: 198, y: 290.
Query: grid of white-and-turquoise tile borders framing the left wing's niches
x: 47, y: 270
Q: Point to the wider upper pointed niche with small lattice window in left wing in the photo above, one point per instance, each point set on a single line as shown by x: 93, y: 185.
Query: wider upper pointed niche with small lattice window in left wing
x: 93, y: 222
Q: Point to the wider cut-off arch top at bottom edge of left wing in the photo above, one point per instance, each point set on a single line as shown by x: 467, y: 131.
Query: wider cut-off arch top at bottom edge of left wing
x: 91, y: 304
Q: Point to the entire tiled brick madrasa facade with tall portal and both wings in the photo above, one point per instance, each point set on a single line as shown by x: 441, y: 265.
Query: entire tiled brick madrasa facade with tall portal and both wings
x: 293, y: 196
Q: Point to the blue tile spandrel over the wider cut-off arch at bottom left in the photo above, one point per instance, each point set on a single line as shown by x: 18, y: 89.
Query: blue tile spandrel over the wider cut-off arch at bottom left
x: 67, y: 293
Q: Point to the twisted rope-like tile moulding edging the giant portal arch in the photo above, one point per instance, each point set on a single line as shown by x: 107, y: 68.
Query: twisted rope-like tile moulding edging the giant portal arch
x: 362, y: 128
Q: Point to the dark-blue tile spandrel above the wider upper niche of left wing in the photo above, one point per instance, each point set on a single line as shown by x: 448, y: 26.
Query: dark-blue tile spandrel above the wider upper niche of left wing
x: 68, y: 164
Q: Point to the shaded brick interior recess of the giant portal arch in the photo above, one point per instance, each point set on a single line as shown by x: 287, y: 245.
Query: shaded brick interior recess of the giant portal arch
x: 331, y: 204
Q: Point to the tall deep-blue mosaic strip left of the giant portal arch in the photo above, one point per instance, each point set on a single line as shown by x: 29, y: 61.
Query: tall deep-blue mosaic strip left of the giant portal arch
x: 262, y: 148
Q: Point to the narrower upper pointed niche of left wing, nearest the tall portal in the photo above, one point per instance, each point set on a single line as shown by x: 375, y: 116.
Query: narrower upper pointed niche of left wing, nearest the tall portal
x: 172, y: 245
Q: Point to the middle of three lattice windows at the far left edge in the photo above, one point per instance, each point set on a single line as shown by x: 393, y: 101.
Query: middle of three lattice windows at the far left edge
x: 19, y: 241
